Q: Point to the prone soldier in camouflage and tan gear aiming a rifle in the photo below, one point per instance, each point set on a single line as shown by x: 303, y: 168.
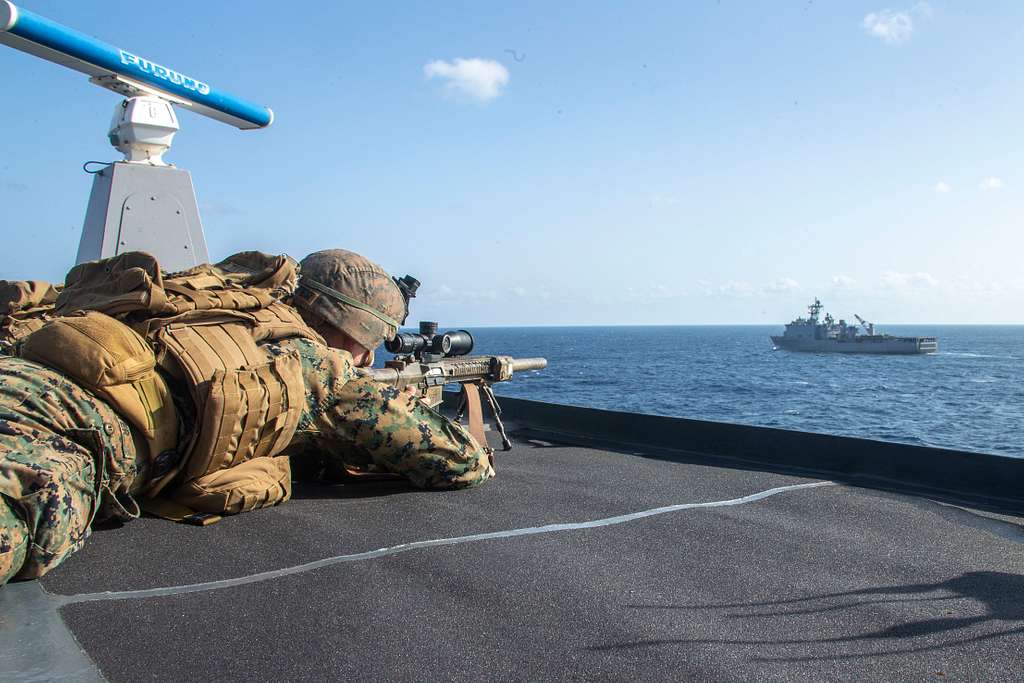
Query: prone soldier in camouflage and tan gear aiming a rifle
x: 186, y: 396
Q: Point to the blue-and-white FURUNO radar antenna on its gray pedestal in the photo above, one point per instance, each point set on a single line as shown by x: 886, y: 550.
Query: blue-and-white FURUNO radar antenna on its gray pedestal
x: 142, y: 203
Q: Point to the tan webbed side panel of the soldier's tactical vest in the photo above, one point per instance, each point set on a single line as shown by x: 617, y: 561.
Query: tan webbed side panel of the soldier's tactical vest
x: 248, y: 407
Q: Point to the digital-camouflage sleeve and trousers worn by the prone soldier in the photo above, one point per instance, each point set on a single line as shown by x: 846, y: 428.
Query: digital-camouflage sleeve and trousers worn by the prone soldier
x: 67, y: 458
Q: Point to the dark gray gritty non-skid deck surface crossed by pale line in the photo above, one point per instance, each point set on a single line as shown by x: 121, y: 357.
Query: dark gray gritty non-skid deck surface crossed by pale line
x: 828, y: 582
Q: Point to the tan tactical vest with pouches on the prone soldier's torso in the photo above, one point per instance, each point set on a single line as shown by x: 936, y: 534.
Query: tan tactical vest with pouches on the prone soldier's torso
x: 206, y: 326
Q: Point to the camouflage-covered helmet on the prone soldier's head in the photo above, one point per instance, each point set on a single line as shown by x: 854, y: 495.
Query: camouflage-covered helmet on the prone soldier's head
x: 352, y: 294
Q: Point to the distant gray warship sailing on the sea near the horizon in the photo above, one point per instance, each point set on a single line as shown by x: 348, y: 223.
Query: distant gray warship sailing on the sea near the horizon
x: 828, y: 336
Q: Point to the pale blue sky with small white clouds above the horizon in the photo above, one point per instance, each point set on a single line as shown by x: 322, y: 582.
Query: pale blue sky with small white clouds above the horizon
x: 588, y: 163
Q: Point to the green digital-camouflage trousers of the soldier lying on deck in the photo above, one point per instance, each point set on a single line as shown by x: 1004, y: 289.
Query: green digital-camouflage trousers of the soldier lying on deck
x: 66, y: 458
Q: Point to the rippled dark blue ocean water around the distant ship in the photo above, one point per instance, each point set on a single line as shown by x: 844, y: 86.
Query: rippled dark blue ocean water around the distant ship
x: 970, y: 396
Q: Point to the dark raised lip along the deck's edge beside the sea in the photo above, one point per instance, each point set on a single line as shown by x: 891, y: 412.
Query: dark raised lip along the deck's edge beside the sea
x: 976, y: 479
